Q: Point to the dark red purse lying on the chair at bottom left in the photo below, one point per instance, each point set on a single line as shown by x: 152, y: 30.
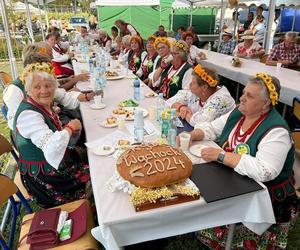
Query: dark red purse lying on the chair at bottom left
x: 43, y: 230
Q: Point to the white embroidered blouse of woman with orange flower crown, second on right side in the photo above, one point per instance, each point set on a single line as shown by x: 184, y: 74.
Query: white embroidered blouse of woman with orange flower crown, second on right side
x: 216, y: 105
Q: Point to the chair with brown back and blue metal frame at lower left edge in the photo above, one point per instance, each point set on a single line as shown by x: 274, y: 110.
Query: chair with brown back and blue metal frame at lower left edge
x: 8, y: 190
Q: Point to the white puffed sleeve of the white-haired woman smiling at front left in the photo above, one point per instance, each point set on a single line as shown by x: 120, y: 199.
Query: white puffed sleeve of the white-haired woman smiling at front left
x: 31, y: 125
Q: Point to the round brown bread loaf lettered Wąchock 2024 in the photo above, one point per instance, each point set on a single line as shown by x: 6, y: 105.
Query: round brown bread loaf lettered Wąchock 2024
x: 153, y: 165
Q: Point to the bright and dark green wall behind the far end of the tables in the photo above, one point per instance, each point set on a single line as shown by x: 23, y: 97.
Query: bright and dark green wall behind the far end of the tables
x: 146, y: 19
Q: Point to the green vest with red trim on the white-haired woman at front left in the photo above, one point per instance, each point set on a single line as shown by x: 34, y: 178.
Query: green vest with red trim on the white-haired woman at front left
x: 31, y: 160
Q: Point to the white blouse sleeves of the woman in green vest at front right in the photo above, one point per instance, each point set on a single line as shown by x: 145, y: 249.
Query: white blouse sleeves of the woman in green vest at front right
x: 271, y: 152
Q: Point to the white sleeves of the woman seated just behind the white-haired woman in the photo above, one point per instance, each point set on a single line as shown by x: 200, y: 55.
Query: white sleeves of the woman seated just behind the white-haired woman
x: 13, y: 96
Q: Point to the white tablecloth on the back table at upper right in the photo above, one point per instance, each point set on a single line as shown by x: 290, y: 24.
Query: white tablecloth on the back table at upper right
x: 289, y: 79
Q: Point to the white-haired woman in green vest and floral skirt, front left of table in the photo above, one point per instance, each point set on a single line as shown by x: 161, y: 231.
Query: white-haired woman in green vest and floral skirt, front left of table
x: 50, y: 172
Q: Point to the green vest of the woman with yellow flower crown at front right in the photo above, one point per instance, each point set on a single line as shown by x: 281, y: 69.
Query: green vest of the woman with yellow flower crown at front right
x: 282, y: 185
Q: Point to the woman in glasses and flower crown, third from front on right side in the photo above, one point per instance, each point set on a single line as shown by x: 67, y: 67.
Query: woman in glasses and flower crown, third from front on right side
x: 177, y: 74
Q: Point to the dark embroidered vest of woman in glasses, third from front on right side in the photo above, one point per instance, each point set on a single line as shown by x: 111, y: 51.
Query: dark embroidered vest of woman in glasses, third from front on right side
x: 171, y: 87
